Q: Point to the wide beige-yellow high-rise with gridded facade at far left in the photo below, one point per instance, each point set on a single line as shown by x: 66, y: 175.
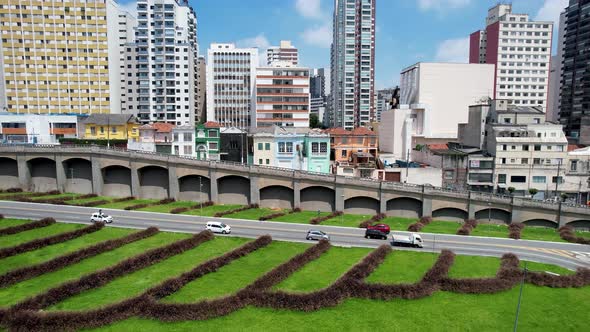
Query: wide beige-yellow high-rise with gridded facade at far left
x: 55, y: 57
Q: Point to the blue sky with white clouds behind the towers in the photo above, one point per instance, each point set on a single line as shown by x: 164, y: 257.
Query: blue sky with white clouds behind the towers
x: 407, y: 31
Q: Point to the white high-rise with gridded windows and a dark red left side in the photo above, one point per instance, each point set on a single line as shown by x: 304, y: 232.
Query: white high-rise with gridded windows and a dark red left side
x: 520, y: 49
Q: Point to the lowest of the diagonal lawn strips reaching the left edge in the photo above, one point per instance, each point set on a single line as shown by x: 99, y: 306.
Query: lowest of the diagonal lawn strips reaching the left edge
x: 22, y: 290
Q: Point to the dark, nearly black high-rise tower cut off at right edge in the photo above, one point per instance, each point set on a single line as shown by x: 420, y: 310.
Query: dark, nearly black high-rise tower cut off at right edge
x: 575, y: 80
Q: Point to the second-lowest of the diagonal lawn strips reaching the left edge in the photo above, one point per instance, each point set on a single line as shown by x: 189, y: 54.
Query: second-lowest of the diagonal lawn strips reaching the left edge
x: 46, y: 253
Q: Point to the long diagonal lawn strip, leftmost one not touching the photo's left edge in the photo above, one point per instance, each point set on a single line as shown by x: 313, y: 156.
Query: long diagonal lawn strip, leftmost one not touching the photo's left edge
x: 135, y: 283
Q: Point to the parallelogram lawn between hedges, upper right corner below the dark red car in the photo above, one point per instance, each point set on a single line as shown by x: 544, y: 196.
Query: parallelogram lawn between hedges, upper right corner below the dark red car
x: 323, y: 271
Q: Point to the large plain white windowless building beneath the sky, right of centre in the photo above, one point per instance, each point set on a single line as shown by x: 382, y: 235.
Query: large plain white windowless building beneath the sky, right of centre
x: 434, y: 97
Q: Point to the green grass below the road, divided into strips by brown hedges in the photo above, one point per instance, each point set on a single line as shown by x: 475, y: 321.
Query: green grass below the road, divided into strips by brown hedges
x: 543, y: 308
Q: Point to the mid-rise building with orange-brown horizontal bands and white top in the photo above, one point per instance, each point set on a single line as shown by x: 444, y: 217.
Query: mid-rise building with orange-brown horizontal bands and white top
x: 282, y: 96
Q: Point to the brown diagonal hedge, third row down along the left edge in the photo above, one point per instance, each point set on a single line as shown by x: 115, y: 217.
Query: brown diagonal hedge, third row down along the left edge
x: 18, y: 275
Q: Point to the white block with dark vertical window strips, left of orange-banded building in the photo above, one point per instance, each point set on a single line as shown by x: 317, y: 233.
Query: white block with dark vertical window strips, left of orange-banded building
x: 231, y: 80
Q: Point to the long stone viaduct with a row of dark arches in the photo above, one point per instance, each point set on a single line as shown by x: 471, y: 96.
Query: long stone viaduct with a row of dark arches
x: 113, y: 172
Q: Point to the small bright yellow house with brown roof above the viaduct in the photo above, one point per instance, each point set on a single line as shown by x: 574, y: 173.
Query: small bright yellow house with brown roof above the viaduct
x: 110, y: 126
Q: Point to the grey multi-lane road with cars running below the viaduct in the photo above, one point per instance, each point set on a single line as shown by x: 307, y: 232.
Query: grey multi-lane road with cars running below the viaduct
x: 567, y: 255
